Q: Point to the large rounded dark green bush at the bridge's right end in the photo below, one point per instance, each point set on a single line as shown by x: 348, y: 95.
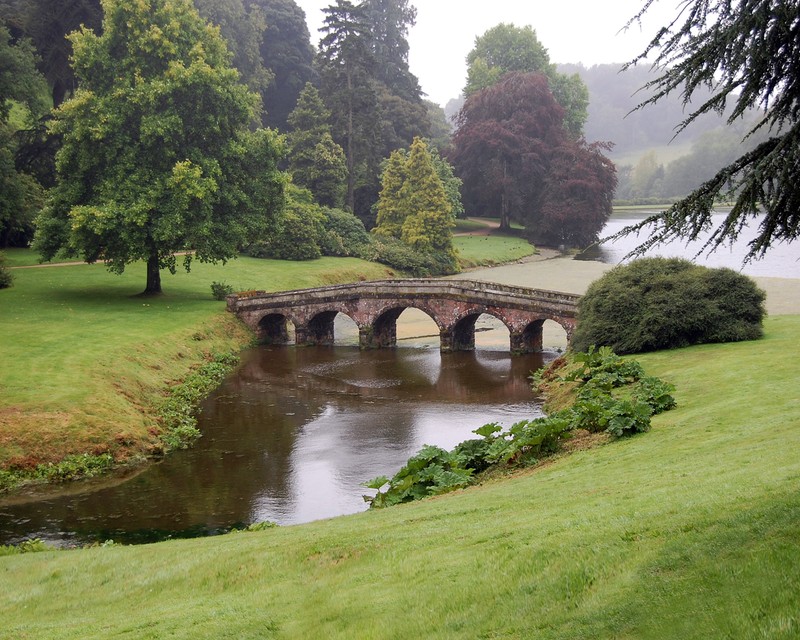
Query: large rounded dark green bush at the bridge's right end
x: 661, y: 303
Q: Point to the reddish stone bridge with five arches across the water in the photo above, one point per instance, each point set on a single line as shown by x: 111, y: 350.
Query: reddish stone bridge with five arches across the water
x: 454, y: 305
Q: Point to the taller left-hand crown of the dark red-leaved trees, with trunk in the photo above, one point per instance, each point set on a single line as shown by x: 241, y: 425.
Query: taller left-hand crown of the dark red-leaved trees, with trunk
x: 502, y: 146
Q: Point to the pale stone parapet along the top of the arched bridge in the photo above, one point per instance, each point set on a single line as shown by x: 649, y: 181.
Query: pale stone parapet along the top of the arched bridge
x: 405, y: 289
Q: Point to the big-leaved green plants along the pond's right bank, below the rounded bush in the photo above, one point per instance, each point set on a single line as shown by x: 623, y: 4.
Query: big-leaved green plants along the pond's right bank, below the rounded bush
x: 596, y: 408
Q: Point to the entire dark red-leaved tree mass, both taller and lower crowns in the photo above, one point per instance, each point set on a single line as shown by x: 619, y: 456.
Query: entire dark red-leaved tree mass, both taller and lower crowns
x: 518, y: 162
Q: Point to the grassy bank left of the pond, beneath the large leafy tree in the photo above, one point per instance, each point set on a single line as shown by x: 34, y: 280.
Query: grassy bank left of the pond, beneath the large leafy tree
x: 86, y: 361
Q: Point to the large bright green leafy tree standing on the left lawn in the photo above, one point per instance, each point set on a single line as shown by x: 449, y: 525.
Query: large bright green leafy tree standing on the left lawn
x: 156, y: 156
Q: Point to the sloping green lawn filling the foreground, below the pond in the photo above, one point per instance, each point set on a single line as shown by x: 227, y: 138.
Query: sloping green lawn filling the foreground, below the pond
x: 688, y: 531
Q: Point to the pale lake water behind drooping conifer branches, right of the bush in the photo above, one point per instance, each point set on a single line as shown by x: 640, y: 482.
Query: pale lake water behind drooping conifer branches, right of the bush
x: 781, y: 261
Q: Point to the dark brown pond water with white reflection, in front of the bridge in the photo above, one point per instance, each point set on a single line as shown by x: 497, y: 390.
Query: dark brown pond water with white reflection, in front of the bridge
x: 290, y: 438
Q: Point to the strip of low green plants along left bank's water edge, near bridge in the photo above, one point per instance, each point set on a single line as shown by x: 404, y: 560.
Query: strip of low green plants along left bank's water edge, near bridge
x: 177, y: 415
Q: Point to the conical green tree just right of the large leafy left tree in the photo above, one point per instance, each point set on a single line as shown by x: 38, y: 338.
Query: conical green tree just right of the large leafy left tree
x: 315, y: 160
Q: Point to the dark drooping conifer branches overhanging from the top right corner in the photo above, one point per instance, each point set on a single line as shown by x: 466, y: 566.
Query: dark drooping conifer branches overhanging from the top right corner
x: 745, y: 53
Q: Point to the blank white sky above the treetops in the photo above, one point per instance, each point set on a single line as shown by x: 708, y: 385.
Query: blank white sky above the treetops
x: 587, y: 31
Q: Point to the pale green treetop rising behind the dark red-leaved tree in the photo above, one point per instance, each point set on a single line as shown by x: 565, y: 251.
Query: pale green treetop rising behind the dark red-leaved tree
x: 506, y: 48
